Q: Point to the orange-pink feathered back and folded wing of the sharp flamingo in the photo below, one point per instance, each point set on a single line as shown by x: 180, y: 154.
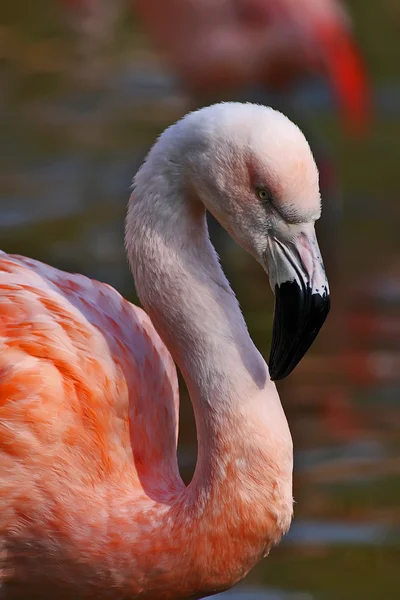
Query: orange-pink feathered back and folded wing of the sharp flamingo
x: 88, y: 402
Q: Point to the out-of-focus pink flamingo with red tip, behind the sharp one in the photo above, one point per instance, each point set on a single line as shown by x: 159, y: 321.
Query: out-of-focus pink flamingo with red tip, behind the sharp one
x: 227, y: 45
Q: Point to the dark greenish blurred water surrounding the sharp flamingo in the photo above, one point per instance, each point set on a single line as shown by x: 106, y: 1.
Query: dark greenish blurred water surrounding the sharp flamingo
x: 69, y: 148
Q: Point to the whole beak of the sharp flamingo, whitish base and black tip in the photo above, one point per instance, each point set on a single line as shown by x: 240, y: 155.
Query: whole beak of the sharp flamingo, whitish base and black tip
x: 302, y: 303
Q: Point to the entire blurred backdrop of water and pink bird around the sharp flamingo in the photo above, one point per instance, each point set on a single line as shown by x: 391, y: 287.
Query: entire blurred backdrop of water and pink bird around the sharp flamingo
x: 87, y: 85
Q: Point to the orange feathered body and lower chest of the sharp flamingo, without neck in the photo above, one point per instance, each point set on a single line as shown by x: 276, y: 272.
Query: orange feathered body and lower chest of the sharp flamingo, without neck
x: 88, y: 433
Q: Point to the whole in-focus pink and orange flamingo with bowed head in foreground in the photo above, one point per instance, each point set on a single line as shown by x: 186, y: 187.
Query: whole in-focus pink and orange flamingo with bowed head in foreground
x: 91, y: 500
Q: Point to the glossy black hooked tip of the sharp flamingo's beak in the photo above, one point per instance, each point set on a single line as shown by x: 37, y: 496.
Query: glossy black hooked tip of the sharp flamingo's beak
x: 298, y: 317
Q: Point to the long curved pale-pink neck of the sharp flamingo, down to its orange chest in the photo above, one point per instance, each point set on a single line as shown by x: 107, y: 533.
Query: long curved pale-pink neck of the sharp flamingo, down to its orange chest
x: 244, y: 446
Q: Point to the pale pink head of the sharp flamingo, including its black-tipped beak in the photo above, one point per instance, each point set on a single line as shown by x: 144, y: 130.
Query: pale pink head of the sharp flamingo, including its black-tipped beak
x: 254, y: 171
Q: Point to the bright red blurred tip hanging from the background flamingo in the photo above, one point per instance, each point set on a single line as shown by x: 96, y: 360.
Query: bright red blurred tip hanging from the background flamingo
x: 345, y: 71
